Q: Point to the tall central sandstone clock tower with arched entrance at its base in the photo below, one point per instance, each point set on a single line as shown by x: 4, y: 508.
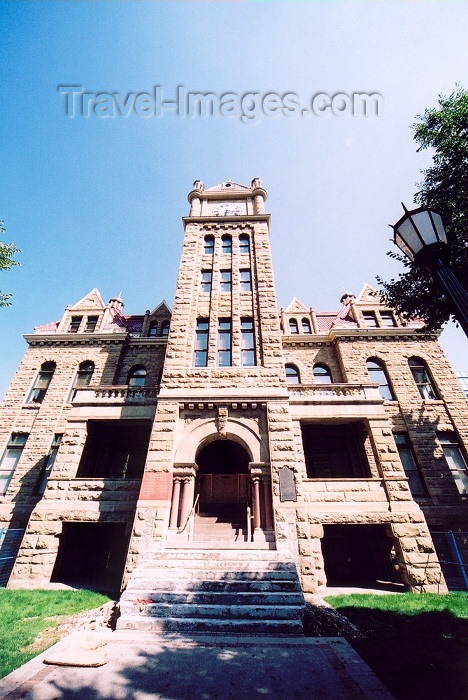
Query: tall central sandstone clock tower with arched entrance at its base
x: 222, y: 435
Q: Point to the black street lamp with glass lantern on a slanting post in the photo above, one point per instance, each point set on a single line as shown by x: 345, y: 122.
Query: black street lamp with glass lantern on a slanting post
x: 420, y: 235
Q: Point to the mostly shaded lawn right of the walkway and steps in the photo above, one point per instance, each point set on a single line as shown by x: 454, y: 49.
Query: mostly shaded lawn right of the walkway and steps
x: 416, y: 643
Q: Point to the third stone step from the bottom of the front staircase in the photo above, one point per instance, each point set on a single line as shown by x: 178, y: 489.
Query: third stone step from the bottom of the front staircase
x: 229, y: 598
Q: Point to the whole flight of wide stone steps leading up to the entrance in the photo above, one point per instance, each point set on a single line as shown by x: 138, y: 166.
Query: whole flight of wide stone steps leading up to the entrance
x: 207, y: 591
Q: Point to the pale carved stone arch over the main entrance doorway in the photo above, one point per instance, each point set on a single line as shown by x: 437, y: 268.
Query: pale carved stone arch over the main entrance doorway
x: 197, y: 437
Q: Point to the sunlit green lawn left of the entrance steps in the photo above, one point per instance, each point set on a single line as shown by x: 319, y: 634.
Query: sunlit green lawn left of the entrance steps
x: 26, y: 614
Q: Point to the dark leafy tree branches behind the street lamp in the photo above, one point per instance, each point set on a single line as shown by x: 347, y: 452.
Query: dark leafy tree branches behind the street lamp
x: 445, y: 190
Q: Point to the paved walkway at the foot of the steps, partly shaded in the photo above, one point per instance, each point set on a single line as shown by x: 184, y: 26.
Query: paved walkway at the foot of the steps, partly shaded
x: 142, y: 666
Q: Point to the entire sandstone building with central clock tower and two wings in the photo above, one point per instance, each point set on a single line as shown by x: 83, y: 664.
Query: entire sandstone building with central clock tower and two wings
x: 335, y: 439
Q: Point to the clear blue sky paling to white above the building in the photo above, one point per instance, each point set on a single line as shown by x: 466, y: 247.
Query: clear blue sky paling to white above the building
x: 97, y: 202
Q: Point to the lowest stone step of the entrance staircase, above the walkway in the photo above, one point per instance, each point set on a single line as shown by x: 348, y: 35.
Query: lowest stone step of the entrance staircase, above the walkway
x: 291, y: 628
